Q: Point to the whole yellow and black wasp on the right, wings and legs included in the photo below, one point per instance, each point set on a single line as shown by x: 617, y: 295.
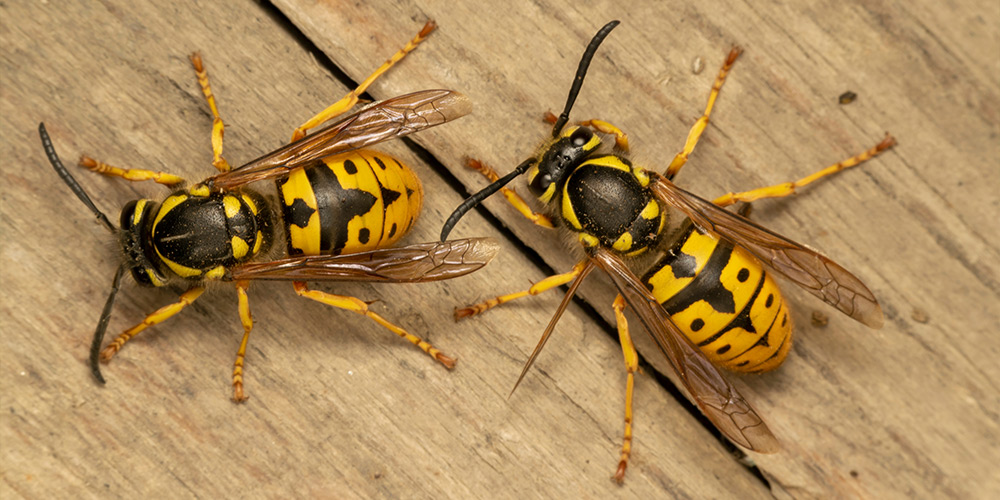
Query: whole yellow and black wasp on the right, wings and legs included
x: 709, y: 299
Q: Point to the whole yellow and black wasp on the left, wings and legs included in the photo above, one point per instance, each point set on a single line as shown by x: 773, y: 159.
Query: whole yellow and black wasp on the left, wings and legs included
x: 337, y: 206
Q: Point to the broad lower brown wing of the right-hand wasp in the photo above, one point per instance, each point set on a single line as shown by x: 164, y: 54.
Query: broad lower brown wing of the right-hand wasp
x: 717, y: 398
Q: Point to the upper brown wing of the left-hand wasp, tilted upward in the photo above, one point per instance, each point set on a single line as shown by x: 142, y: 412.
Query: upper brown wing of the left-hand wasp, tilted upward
x: 377, y: 122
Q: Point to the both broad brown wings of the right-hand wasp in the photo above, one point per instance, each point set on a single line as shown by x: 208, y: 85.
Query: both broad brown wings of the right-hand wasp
x: 716, y: 396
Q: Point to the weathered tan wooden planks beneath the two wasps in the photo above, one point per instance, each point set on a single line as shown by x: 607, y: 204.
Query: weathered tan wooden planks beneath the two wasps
x: 340, y: 408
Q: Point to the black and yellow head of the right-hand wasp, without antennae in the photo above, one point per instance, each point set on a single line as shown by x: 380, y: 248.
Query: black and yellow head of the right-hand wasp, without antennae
x: 560, y: 158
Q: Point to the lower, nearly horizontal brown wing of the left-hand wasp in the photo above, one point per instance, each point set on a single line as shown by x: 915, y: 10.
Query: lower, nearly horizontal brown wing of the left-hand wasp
x: 409, y: 264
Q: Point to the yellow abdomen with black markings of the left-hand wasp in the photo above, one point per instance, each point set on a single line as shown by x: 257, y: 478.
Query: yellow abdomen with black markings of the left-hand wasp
x: 349, y: 203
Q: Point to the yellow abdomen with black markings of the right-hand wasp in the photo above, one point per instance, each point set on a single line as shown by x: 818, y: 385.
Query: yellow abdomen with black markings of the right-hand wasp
x: 724, y: 301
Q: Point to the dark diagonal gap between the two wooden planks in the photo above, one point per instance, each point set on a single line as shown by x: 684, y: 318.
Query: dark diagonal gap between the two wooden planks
x: 456, y: 185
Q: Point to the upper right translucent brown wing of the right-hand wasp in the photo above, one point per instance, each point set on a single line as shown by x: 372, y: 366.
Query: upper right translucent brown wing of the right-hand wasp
x: 819, y: 275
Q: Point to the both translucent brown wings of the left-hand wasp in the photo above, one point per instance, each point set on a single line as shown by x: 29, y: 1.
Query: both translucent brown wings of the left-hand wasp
x: 377, y: 122
